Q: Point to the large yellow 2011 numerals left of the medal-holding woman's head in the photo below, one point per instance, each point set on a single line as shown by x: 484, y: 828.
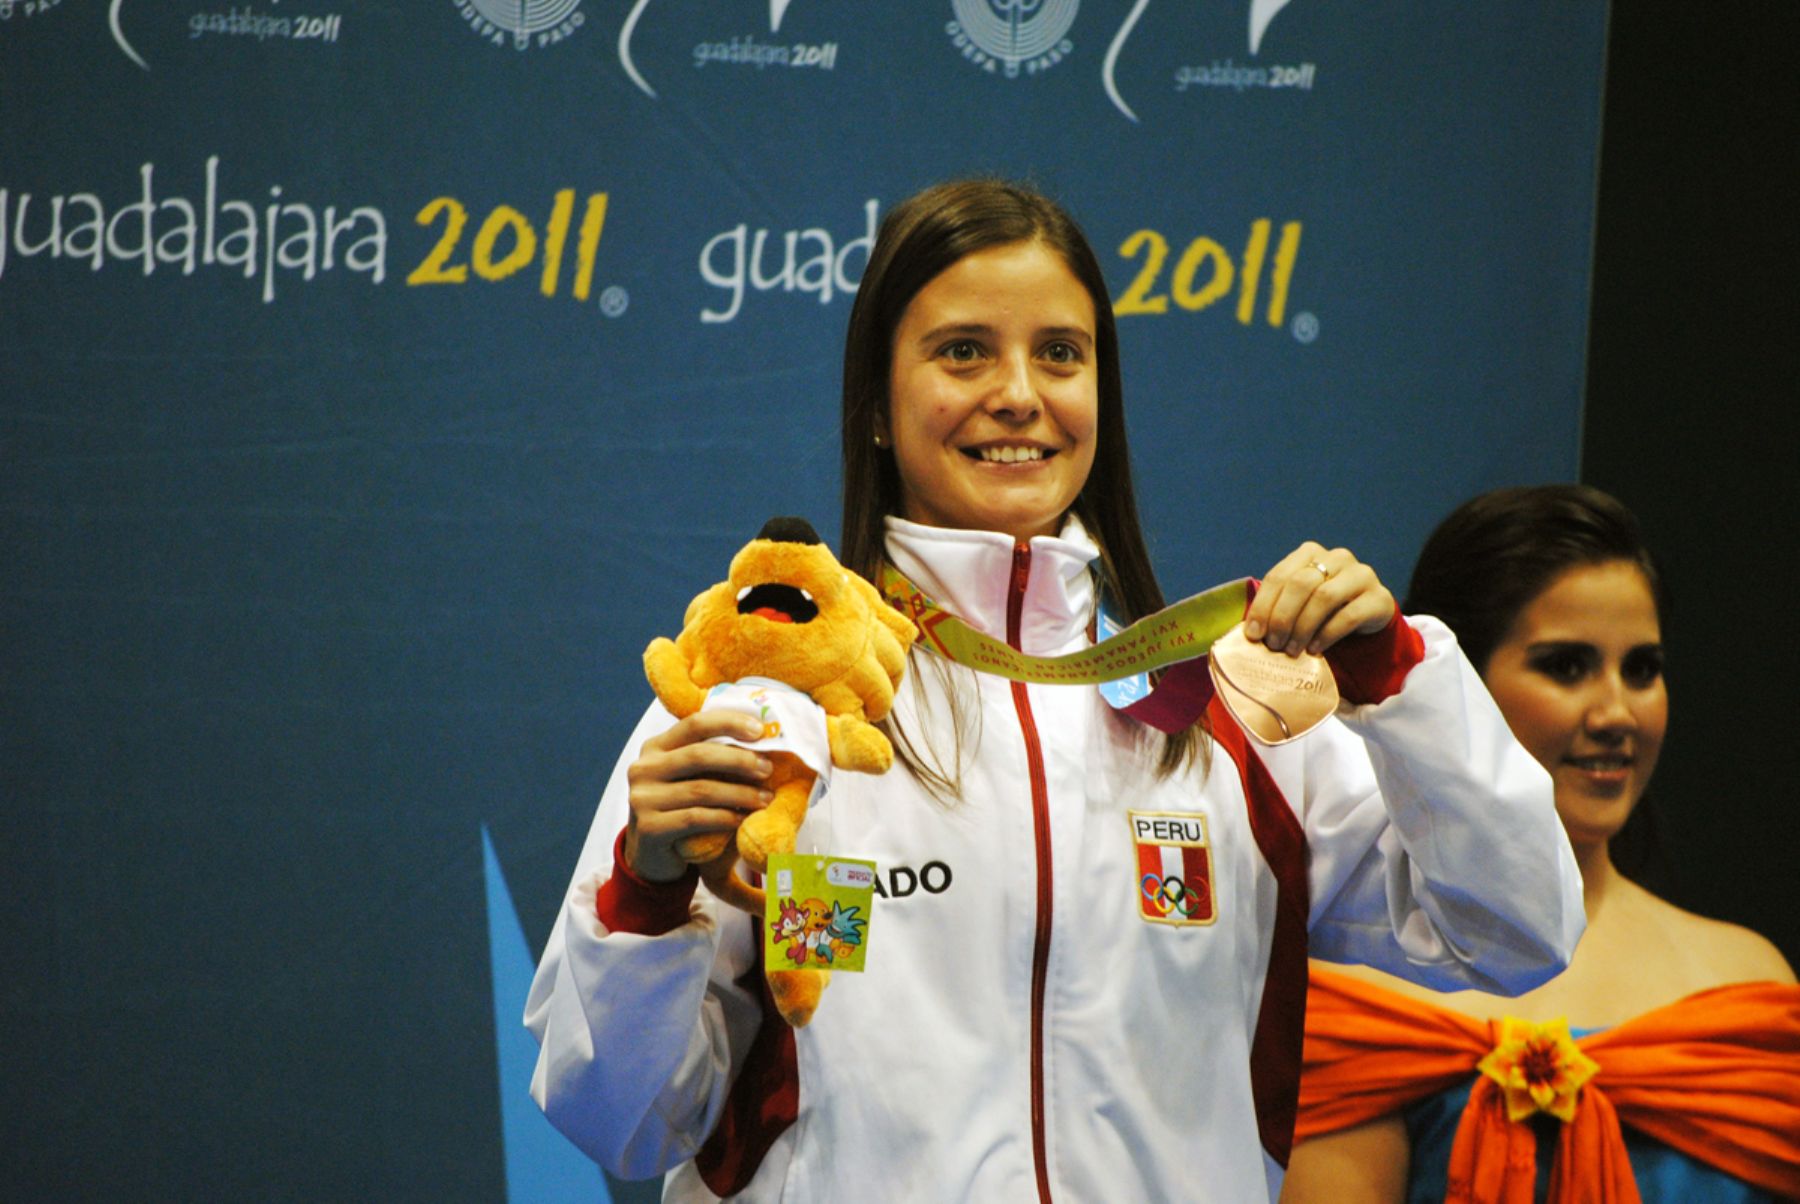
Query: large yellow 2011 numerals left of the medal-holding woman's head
x: 510, y: 229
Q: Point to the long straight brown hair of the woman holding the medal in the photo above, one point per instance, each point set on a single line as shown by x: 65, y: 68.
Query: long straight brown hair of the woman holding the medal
x: 919, y: 240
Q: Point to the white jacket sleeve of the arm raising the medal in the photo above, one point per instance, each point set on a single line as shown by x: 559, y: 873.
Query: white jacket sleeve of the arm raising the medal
x: 1434, y: 838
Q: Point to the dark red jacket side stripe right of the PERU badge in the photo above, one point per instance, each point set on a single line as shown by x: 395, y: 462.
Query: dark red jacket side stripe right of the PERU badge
x: 1281, y: 1021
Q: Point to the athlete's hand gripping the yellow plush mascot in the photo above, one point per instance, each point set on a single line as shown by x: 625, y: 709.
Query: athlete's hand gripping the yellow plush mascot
x: 685, y: 784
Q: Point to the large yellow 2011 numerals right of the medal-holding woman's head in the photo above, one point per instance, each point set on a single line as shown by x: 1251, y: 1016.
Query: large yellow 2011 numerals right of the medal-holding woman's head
x: 1207, y: 273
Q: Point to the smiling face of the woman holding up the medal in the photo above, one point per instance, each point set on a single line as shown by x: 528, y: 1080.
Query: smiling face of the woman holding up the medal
x: 993, y: 397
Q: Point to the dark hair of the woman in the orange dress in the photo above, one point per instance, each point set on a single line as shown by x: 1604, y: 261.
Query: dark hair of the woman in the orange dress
x: 1497, y: 553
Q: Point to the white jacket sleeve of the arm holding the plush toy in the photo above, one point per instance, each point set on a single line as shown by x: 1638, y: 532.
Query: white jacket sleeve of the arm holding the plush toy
x: 638, y: 1036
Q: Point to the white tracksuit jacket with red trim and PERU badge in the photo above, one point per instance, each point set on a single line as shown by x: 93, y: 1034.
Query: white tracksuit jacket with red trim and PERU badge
x: 1032, y: 1025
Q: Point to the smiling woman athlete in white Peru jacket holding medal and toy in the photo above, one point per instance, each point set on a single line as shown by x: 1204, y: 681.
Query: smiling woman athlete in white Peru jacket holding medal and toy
x: 1029, y: 1029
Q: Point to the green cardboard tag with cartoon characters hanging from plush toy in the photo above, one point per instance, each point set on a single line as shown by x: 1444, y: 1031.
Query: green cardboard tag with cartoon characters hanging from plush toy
x: 818, y: 912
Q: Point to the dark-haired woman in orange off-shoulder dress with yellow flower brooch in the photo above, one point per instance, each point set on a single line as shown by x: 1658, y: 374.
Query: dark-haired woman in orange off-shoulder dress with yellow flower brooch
x: 1680, y: 1079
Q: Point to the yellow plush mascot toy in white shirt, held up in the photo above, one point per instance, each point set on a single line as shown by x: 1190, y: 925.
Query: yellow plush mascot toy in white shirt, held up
x: 814, y: 652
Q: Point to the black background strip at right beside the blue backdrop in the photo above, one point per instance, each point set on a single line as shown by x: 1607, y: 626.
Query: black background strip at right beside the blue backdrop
x: 1693, y: 381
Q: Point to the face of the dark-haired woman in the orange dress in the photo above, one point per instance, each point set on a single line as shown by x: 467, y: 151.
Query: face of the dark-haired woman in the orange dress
x: 1579, y: 679
